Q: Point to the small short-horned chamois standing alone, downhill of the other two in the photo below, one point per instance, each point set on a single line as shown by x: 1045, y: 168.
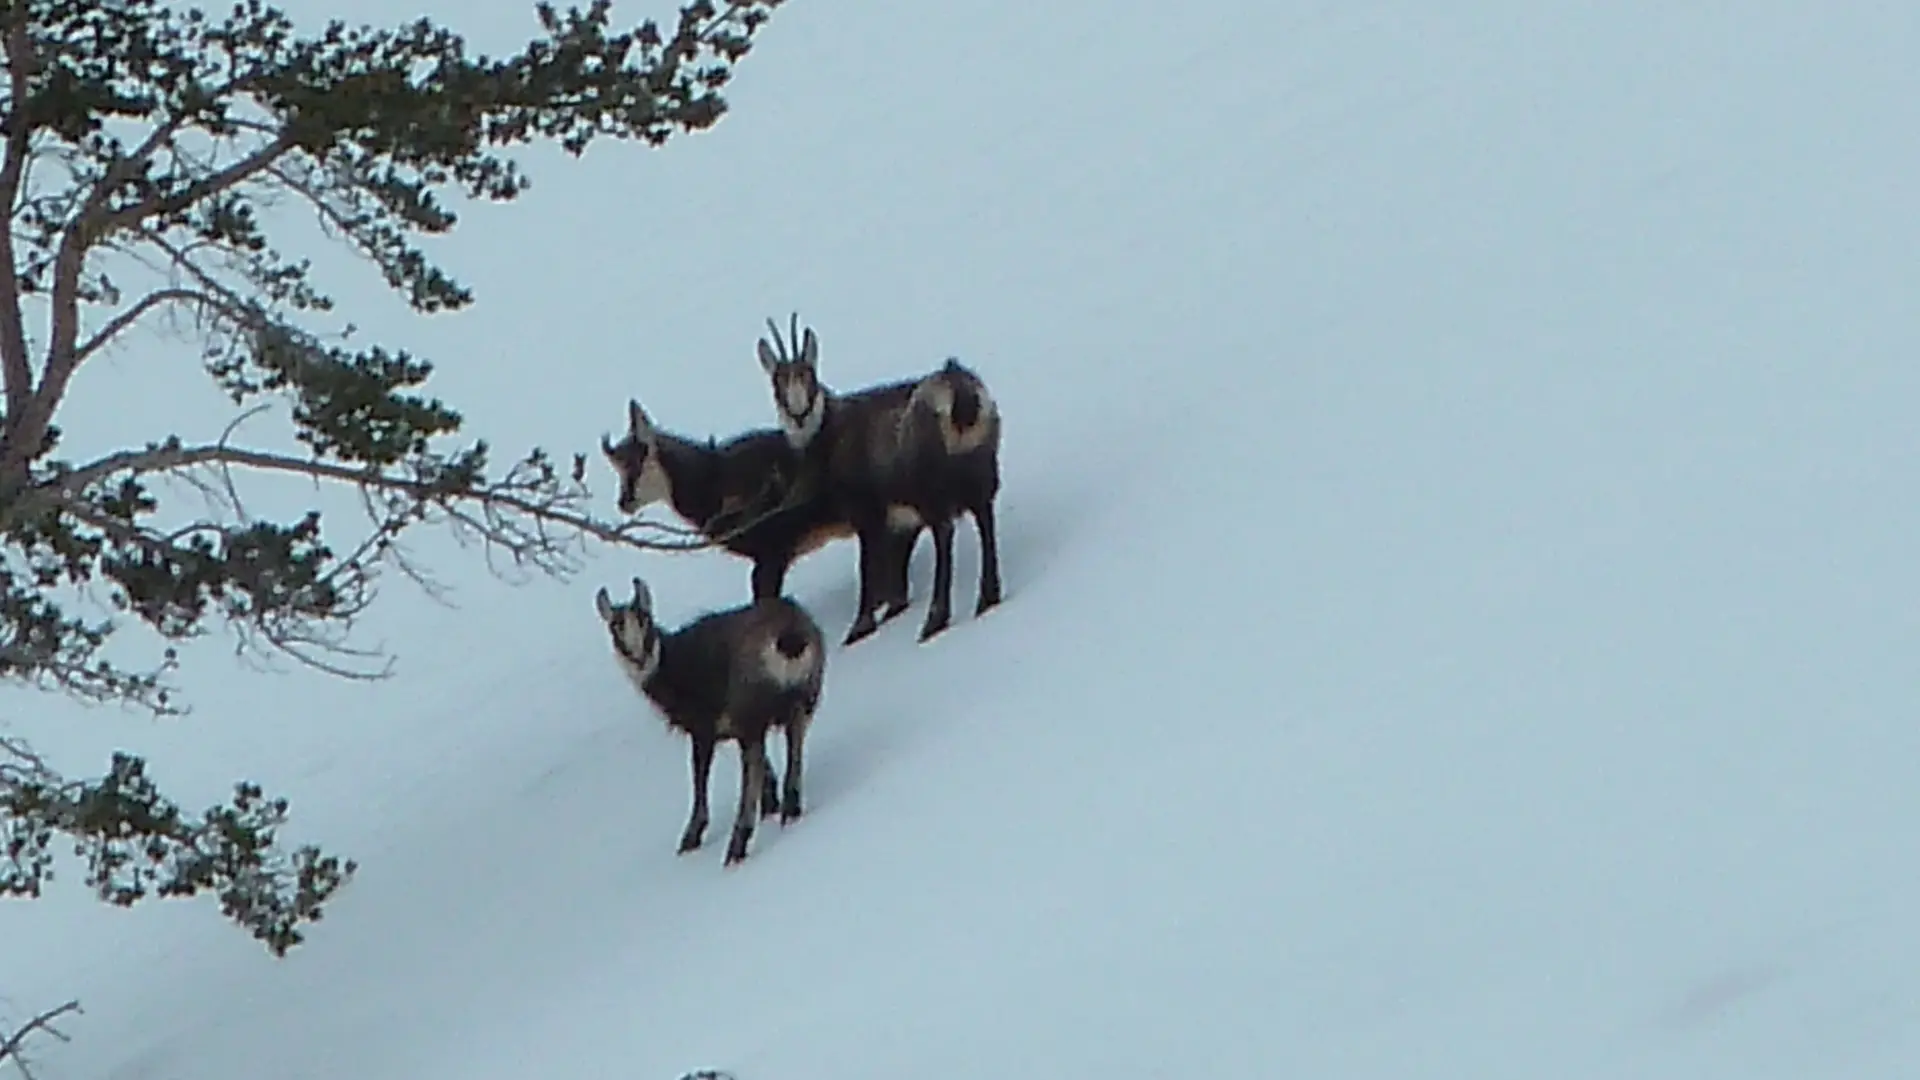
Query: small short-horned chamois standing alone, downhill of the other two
x: 729, y: 675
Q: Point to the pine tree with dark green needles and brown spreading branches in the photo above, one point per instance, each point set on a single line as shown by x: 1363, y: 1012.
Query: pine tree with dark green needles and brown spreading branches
x: 147, y: 151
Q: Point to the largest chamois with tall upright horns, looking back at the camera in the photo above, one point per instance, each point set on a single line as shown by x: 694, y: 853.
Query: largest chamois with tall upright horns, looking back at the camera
x: 896, y: 458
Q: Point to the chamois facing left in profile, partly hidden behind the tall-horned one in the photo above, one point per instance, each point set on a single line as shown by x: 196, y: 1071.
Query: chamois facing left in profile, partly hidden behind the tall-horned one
x: 754, y: 495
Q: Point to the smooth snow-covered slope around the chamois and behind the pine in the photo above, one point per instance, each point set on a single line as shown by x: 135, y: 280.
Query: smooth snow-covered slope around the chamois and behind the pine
x: 1460, y: 545
